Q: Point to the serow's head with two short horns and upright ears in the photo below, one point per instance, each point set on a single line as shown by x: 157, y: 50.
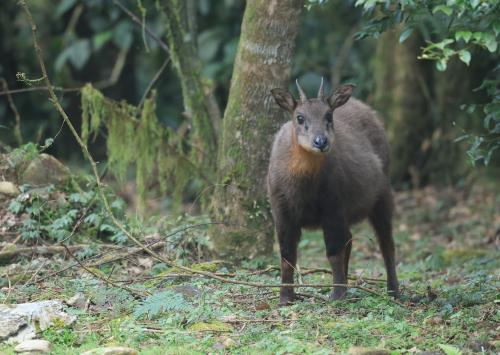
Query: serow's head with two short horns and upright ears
x: 313, y: 118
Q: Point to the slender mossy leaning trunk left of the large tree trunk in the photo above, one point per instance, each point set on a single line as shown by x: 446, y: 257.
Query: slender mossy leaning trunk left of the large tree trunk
x: 197, y: 103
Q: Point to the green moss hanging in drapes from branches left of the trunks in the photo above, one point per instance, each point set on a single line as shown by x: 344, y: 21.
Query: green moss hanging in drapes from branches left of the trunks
x: 137, y: 139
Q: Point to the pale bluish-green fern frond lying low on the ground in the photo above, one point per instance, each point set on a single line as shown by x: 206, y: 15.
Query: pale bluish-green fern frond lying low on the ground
x: 164, y: 301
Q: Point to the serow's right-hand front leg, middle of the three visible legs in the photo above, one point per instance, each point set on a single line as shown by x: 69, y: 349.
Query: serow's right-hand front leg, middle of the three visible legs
x: 337, y: 242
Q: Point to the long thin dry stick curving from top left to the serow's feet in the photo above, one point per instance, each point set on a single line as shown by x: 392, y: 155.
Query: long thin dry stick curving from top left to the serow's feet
x: 116, y: 222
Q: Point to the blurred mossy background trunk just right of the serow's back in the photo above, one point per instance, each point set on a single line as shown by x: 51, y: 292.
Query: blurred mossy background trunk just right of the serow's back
x: 403, y: 96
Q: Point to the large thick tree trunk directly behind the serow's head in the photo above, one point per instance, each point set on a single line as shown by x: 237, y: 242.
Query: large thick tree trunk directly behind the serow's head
x: 263, y: 62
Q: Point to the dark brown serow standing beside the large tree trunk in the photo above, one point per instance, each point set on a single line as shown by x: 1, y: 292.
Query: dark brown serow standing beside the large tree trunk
x: 328, y: 169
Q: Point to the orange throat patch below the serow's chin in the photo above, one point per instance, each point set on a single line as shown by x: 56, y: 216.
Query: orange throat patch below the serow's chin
x: 303, y: 162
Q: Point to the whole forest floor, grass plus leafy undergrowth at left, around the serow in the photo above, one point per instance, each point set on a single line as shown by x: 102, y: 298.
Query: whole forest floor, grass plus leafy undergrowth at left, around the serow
x: 448, y: 265
